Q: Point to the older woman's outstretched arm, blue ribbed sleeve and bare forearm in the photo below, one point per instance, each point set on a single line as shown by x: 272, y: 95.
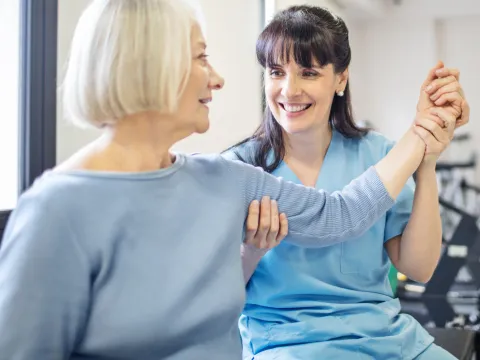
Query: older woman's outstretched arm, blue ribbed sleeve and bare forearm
x: 318, y: 219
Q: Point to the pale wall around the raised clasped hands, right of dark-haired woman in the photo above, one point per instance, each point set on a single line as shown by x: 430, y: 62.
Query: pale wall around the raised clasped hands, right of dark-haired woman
x: 391, y: 58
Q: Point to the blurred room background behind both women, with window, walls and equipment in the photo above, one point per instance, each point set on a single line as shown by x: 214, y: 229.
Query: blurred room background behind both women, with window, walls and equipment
x: 394, y: 44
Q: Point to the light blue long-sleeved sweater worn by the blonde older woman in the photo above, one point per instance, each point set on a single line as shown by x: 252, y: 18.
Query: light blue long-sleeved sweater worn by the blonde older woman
x: 147, y: 265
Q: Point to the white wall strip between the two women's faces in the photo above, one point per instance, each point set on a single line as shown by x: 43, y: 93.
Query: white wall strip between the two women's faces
x: 232, y: 29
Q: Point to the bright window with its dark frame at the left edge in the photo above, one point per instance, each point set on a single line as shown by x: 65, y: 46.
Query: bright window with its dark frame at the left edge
x: 28, y: 34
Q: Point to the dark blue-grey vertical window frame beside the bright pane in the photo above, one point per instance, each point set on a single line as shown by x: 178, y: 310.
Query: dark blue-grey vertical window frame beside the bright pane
x: 37, y: 93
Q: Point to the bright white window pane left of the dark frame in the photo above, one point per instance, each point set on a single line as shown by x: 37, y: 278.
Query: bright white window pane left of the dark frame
x: 9, y: 101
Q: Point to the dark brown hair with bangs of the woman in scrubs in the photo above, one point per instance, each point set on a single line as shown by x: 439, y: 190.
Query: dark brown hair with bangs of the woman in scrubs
x: 307, y: 32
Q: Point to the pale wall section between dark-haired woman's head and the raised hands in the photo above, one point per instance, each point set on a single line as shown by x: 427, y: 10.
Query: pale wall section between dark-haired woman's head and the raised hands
x: 389, y: 63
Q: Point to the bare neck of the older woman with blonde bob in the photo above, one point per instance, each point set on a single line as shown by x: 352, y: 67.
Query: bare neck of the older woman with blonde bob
x: 139, y: 142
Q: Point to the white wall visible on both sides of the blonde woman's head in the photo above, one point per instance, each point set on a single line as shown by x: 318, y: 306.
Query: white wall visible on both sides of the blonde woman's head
x: 236, y: 110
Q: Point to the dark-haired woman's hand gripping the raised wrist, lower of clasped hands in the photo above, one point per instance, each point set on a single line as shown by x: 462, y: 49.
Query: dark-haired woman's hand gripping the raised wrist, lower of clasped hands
x: 435, y: 126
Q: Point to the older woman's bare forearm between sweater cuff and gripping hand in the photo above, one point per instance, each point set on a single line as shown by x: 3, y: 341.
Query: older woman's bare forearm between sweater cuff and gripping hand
x: 401, y: 162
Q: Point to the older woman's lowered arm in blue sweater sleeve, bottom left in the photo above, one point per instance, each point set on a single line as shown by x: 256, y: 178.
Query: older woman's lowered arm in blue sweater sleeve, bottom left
x: 44, y: 284
